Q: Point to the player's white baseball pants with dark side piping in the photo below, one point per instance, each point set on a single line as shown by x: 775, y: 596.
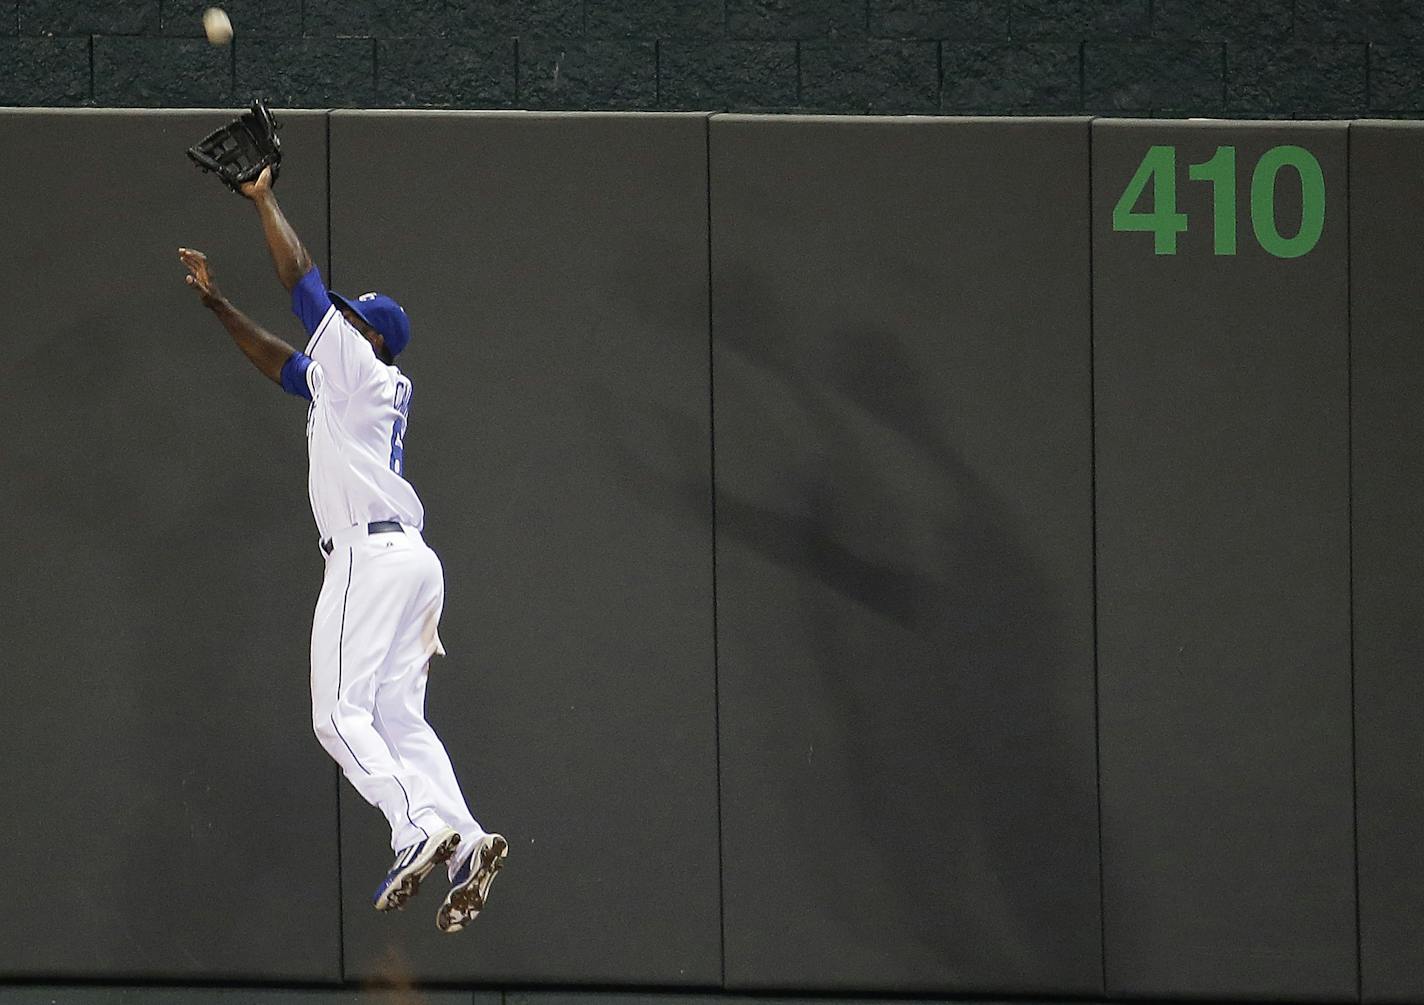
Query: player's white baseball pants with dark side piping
x: 372, y: 641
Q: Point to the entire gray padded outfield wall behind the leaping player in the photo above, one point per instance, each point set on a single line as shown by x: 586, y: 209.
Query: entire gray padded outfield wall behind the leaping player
x: 884, y: 556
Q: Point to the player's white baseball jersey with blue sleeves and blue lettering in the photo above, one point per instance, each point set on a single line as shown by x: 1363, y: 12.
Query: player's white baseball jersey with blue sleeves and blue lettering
x: 357, y: 422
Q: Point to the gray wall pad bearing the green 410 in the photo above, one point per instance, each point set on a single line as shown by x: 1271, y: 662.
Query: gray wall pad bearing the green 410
x: 1224, y: 584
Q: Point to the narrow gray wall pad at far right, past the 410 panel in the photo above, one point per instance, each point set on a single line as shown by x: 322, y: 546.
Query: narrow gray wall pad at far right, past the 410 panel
x: 1388, y: 354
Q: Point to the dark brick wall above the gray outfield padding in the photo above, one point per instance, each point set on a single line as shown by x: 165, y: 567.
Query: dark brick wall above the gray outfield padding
x: 1279, y: 59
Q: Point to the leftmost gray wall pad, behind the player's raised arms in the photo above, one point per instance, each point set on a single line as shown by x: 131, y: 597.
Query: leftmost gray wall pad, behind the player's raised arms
x: 169, y: 809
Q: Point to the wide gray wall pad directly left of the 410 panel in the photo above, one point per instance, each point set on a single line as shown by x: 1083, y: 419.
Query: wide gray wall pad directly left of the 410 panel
x: 905, y: 554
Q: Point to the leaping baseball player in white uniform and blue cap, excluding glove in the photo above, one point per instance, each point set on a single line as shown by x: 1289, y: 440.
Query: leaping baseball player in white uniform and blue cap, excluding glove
x: 377, y: 617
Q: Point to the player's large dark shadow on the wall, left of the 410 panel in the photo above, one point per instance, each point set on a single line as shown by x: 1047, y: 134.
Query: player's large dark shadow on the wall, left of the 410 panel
x: 906, y: 656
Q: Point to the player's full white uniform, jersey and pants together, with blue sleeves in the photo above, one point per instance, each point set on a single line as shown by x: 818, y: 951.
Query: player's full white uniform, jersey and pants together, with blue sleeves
x: 377, y: 619
